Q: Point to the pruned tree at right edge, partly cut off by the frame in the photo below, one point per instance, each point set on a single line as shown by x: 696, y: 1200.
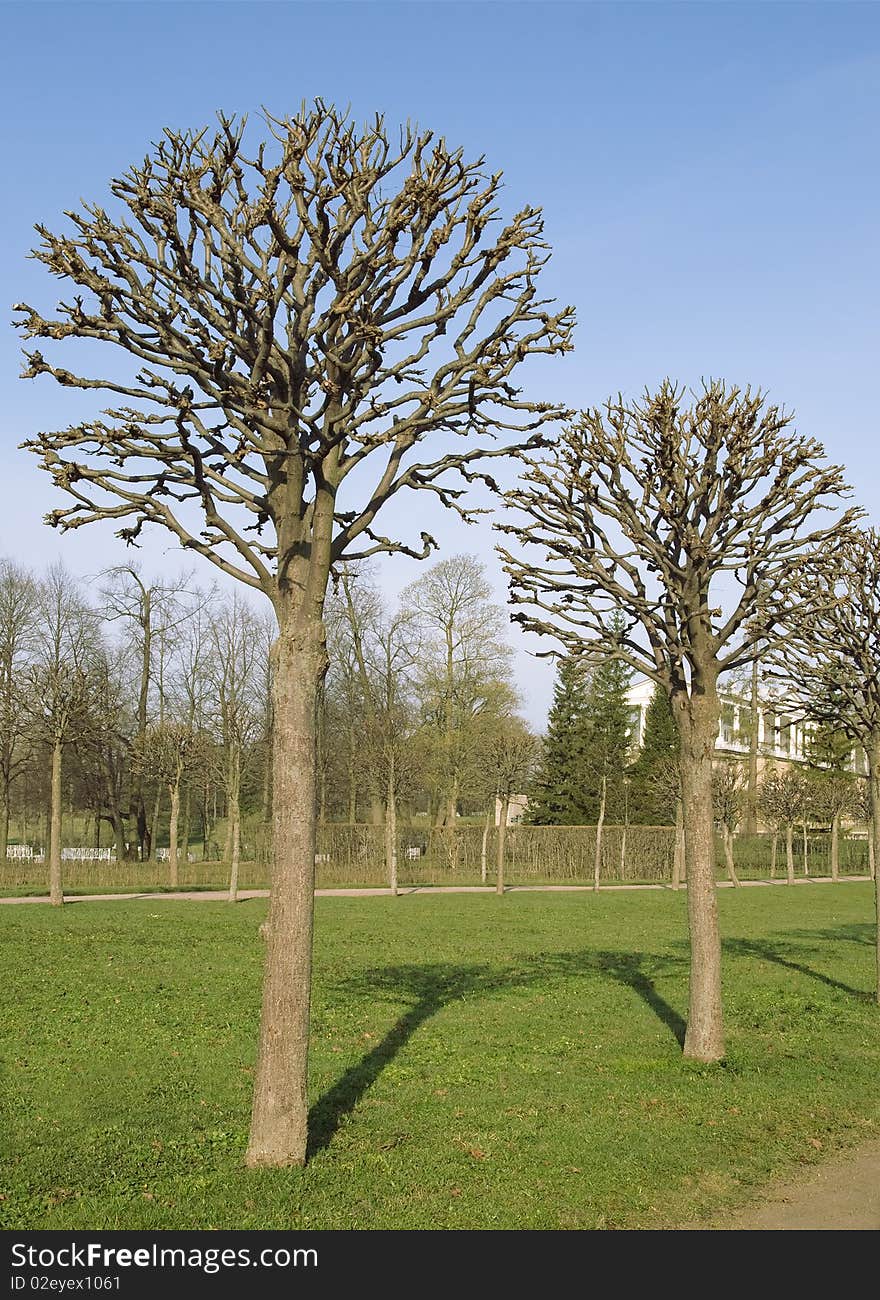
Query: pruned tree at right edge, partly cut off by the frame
x: 833, y: 657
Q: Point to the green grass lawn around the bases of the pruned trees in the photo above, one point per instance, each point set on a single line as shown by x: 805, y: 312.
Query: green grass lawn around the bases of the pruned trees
x: 478, y: 1063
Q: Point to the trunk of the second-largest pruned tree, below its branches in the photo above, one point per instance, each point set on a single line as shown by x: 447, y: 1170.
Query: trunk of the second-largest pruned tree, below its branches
x: 697, y: 720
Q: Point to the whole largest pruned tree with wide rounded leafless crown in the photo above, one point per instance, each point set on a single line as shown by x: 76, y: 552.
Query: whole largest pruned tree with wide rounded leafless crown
x: 302, y: 317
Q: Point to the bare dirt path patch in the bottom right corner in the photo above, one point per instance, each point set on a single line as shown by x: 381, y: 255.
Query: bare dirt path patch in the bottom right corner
x: 842, y: 1195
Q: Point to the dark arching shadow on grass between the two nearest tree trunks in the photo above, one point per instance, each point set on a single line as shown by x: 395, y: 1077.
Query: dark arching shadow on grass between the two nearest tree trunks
x: 431, y: 989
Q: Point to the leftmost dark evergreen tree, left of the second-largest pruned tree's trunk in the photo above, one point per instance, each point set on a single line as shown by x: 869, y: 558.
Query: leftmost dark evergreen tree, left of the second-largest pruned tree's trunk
x: 557, y: 795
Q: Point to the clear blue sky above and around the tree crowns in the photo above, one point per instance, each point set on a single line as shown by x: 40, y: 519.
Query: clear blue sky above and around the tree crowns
x: 709, y: 175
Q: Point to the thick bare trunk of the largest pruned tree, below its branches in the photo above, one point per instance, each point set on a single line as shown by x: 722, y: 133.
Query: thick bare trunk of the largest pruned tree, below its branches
x: 280, y: 1119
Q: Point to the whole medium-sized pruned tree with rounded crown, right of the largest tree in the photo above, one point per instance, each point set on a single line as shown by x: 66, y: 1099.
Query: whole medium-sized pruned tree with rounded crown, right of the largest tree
x: 687, y: 521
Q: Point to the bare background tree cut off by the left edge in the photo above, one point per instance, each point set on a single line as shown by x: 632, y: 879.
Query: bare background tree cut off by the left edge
x: 18, y: 644
